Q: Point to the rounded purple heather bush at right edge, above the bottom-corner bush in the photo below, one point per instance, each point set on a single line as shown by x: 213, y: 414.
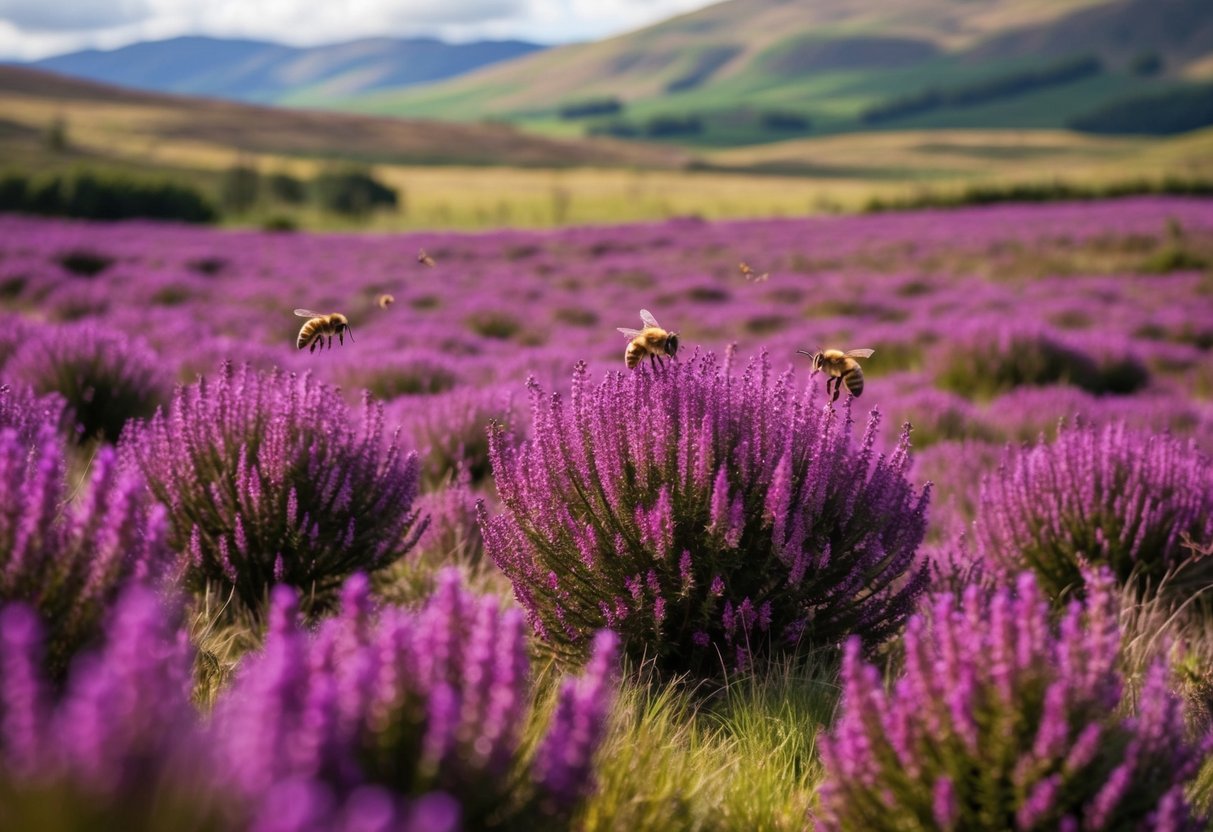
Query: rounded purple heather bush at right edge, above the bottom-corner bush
x: 1104, y: 495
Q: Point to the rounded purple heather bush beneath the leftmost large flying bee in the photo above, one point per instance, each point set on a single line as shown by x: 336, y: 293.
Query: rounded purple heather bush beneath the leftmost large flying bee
x: 269, y: 482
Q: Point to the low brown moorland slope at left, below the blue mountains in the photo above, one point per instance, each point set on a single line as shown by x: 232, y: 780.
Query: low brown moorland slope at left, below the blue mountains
x: 176, y: 132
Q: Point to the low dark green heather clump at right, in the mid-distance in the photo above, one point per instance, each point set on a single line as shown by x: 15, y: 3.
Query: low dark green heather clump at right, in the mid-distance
x: 993, y: 361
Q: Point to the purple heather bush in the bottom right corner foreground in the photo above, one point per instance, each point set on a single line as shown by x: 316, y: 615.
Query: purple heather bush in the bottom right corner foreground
x: 1003, y: 721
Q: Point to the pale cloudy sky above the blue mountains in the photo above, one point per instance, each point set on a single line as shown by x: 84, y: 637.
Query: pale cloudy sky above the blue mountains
x: 32, y: 30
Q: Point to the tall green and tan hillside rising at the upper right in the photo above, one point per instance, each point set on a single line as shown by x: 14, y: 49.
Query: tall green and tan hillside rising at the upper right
x: 756, y: 71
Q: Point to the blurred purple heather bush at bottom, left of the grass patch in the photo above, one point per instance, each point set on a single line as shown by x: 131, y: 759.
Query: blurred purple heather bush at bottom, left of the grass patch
x: 412, y: 702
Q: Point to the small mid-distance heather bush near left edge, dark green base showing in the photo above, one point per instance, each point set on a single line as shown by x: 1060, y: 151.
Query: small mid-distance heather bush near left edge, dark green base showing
x: 105, y: 378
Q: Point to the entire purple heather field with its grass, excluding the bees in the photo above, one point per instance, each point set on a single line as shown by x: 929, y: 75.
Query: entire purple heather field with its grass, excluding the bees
x: 465, y: 571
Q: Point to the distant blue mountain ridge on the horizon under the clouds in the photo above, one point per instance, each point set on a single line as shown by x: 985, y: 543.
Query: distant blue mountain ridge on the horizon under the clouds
x: 264, y: 72
